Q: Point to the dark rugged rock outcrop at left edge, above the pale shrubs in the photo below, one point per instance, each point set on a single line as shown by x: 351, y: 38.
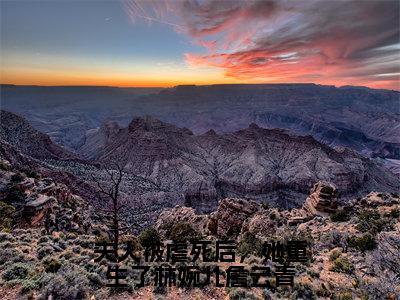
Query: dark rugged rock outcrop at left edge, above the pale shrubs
x: 42, y: 202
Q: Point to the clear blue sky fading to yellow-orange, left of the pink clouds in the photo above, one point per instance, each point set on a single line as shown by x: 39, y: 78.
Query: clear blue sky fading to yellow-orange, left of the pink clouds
x: 88, y: 41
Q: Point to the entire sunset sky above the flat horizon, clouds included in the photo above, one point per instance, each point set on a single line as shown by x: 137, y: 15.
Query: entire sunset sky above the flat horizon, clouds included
x: 166, y: 43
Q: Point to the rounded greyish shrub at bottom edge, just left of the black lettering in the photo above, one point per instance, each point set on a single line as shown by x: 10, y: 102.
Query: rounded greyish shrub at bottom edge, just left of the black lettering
x: 69, y: 282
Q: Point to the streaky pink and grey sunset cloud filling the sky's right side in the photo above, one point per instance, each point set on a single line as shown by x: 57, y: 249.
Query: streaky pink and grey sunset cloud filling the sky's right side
x: 335, y: 42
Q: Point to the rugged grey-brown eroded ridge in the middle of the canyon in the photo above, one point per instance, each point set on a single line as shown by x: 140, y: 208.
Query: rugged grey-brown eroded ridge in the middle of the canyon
x: 254, y: 161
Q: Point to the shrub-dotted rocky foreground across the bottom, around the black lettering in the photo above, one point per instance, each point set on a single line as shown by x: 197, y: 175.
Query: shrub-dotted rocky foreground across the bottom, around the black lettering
x: 354, y: 250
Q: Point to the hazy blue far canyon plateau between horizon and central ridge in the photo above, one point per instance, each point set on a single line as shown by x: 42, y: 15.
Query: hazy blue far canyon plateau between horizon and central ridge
x: 360, y: 118
